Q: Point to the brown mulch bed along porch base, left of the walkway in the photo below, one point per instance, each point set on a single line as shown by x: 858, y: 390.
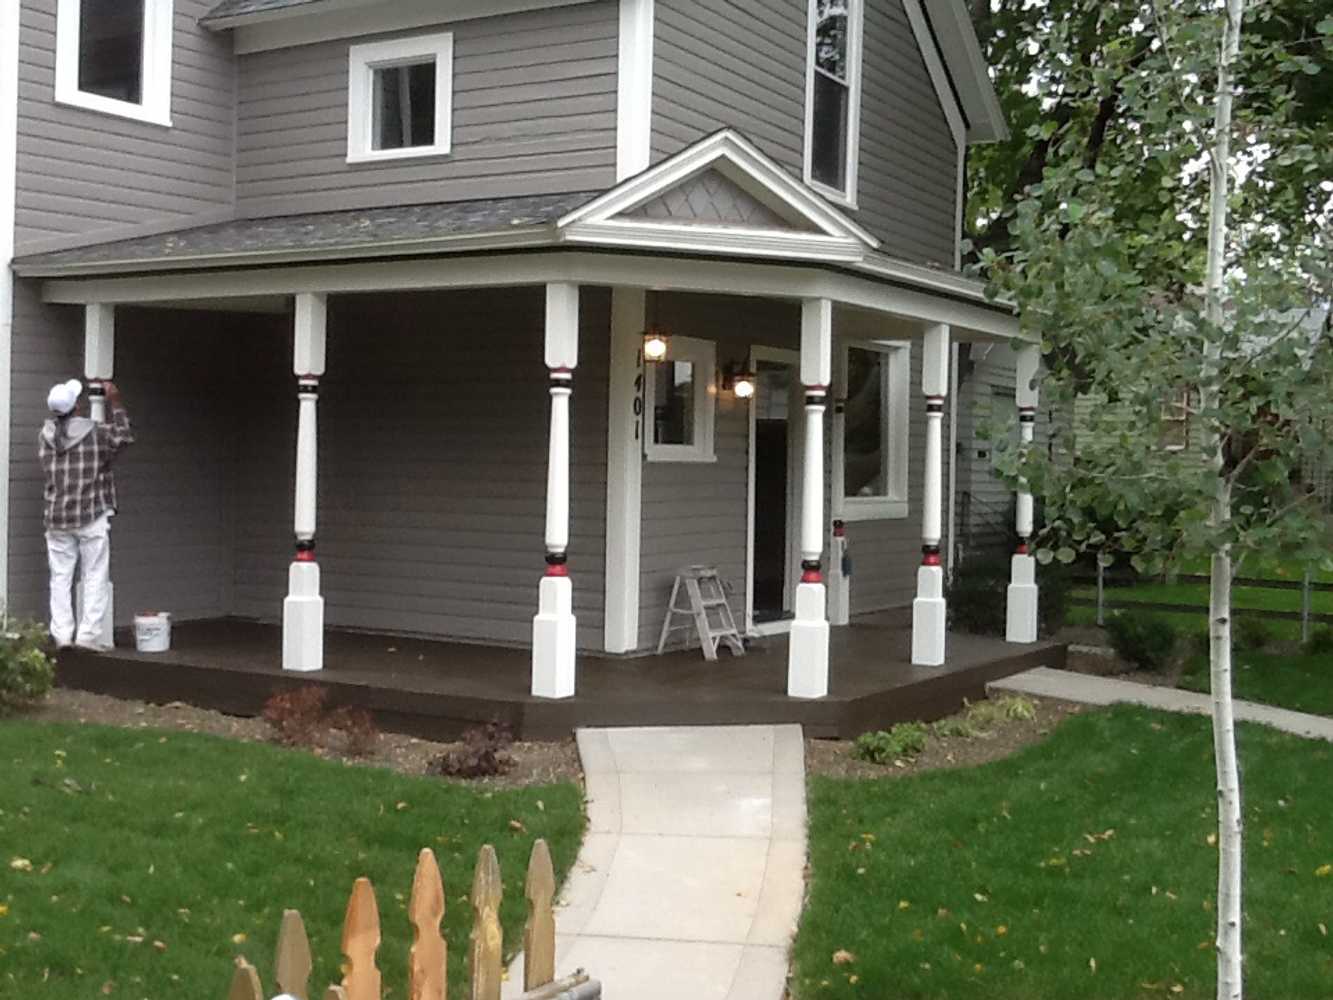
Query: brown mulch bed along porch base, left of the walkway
x: 535, y: 763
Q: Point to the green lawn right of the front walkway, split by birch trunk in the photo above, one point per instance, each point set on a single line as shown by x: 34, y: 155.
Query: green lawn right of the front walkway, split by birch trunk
x: 1078, y: 869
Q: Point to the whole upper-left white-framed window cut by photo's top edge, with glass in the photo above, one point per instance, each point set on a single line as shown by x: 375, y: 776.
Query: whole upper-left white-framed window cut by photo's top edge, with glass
x: 114, y: 57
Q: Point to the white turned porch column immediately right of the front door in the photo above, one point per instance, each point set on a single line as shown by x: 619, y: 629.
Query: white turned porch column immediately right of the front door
x: 808, y: 650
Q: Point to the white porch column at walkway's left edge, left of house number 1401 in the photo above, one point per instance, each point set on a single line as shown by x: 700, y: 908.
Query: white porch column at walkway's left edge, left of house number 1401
x: 554, y: 627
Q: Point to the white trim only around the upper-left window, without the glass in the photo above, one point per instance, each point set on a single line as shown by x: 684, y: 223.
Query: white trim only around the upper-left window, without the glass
x: 157, y: 69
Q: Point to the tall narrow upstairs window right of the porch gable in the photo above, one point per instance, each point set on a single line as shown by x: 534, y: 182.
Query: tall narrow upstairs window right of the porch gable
x: 834, y: 98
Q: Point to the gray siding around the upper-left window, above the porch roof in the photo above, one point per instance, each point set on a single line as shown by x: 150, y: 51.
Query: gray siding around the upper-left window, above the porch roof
x: 82, y: 173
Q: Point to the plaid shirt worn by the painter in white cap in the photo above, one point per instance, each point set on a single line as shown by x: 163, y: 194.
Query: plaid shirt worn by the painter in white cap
x: 81, y: 486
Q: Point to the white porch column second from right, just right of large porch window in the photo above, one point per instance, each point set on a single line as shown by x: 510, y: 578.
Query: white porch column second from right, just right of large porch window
x: 928, y: 610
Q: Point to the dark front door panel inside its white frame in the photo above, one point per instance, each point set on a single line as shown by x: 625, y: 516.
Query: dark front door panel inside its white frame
x: 772, y: 451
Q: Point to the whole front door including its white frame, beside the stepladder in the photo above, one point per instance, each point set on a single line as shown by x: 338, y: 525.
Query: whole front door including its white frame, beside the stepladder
x: 775, y: 415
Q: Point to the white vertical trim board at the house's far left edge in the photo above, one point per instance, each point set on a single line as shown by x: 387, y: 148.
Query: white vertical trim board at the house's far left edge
x: 9, y: 197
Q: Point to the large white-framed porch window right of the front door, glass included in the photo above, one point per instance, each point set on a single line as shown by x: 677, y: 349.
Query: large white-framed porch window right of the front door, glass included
x: 871, y: 450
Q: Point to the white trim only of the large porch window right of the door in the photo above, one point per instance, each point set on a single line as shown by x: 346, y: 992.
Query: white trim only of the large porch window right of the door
x: 896, y: 395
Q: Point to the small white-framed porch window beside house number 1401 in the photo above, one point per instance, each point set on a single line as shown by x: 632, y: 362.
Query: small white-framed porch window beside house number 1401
x: 680, y: 402
